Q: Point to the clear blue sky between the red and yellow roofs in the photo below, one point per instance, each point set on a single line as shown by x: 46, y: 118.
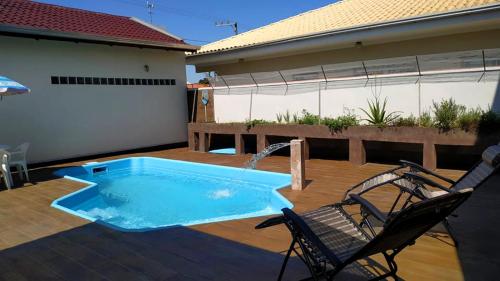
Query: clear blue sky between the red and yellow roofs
x: 194, y: 20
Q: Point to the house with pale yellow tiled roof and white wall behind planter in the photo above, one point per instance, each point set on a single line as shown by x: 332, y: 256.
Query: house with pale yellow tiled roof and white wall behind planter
x: 335, y: 58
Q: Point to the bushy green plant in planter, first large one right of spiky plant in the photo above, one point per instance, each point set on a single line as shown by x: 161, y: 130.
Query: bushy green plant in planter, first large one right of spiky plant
x: 446, y: 113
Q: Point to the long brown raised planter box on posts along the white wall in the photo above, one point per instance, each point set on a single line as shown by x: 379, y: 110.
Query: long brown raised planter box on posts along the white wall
x: 429, y: 137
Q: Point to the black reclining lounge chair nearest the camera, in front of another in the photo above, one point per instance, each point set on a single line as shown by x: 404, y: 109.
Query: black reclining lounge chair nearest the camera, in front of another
x: 330, y: 239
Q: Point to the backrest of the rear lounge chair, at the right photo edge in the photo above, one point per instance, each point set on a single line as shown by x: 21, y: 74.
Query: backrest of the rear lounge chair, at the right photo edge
x: 481, y: 172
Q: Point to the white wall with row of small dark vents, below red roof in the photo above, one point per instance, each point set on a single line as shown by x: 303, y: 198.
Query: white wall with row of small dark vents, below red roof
x: 63, y: 121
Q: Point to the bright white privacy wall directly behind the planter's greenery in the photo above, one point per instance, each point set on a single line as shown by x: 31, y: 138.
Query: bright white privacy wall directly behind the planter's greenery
x: 406, y: 98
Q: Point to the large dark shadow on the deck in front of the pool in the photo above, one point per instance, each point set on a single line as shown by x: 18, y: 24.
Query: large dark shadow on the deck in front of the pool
x: 92, y: 252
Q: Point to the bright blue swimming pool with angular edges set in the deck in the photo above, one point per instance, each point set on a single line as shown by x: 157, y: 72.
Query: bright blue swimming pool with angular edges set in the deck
x: 143, y: 193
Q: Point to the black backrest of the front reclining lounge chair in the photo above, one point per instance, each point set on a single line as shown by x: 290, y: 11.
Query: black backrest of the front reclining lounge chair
x: 403, y: 228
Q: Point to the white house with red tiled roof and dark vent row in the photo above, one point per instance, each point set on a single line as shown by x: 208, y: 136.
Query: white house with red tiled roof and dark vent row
x: 99, y: 83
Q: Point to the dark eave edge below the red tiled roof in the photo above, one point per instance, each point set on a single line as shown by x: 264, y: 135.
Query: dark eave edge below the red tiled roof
x: 26, y: 32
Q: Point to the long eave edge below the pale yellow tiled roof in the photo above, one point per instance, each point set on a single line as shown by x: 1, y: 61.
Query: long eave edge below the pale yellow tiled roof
x: 461, y: 21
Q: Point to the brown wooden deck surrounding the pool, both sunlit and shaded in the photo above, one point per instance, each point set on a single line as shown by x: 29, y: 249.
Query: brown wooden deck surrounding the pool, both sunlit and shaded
x: 38, y: 242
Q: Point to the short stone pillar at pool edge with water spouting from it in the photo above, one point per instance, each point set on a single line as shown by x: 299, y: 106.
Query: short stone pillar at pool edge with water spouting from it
x: 298, y: 164
